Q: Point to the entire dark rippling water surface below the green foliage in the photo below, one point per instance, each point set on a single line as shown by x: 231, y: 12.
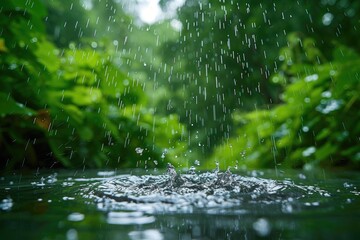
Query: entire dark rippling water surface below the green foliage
x: 153, y: 205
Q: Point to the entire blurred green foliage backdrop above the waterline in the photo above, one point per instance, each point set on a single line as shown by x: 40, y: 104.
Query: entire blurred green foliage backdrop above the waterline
x: 250, y: 84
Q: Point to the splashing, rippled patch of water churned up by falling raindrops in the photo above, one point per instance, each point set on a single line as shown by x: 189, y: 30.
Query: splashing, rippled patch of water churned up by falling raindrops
x: 191, y: 192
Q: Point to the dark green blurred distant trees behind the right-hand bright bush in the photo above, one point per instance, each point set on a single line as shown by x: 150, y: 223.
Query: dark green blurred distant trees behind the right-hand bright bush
x: 227, y: 51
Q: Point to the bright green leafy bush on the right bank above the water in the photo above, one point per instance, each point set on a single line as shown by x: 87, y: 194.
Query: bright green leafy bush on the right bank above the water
x: 317, y: 123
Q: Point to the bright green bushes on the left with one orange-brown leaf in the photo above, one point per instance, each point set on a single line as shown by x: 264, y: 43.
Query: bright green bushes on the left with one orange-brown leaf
x: 73, y: 106
